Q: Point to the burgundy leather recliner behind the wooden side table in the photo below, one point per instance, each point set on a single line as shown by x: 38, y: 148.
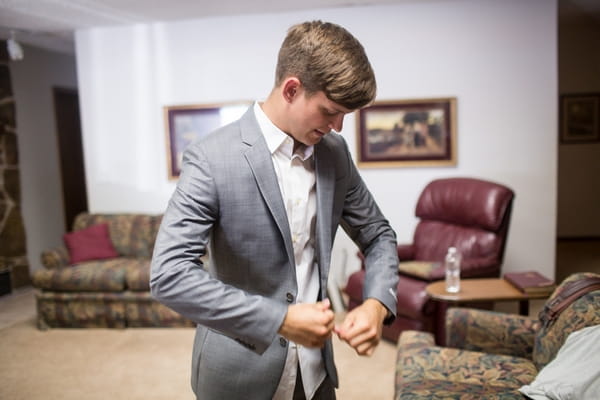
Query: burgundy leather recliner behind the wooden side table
x: 470, y: 214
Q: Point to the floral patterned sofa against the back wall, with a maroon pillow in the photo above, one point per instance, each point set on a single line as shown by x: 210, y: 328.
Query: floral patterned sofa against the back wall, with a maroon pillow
x: 110, y: 292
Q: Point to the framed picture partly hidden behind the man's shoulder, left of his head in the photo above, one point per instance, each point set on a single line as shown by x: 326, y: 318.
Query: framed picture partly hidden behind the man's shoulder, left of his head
x: 187, y: 123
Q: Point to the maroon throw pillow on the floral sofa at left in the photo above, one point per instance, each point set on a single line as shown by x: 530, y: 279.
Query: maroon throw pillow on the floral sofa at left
x: 91, y: 243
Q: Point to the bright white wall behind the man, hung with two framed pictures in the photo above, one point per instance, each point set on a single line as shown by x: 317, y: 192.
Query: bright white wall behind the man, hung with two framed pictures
x: 497, y: 58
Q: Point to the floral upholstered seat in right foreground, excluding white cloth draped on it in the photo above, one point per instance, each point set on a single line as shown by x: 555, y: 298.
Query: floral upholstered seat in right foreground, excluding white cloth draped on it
x: 490, y: 355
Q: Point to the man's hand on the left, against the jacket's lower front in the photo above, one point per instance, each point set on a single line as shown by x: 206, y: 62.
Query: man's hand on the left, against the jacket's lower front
x: 309, y: 325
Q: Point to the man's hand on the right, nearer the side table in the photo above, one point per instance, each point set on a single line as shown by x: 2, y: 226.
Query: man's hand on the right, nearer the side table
x: 362, y: 326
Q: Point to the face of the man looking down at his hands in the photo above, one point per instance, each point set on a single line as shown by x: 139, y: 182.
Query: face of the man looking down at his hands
x: 314, y: 116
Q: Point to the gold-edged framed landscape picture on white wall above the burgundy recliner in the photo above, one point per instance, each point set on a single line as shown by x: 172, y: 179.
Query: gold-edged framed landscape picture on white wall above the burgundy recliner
x: 407, y: 133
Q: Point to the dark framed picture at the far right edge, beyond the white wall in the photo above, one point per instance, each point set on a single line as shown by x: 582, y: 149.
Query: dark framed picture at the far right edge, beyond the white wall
x: 580, y: 118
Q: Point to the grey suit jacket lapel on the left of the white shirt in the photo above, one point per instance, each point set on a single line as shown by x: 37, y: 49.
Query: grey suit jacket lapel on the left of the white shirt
x: 259, y: 160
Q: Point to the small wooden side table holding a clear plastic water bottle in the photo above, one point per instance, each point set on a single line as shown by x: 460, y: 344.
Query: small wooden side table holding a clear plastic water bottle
x: 483, y: 290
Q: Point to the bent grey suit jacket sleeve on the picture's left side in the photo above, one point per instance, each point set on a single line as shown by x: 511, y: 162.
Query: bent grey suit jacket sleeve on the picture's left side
x: 178, y: 277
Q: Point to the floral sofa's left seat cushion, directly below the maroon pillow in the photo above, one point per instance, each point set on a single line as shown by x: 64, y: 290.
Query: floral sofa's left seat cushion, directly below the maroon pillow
x: 91, y: 276
